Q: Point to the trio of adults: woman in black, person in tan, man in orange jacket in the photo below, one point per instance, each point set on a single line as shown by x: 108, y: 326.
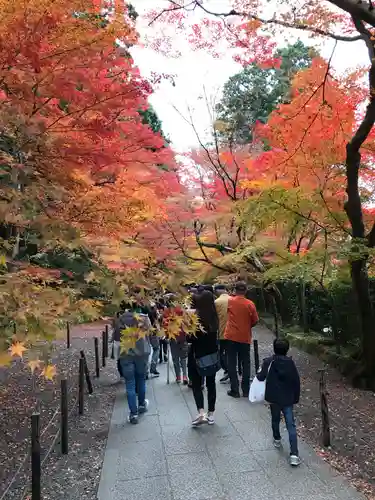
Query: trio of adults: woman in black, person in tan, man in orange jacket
x: 226, y: 331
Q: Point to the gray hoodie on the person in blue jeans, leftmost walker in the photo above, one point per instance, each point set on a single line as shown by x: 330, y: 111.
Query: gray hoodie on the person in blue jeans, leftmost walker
x: 129, y: 319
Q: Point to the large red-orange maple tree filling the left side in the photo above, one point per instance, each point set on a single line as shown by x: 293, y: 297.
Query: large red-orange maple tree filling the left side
x: 79, y: 163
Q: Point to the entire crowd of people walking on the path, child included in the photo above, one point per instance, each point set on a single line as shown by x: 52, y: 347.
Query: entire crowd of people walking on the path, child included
x: 222, y: 340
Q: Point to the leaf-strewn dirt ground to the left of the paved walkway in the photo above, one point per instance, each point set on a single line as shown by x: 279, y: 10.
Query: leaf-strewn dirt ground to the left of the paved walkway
x: 75, y: 476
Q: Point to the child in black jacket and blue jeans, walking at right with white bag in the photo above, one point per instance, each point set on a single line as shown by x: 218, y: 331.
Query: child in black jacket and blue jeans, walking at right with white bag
x: 282, y: 392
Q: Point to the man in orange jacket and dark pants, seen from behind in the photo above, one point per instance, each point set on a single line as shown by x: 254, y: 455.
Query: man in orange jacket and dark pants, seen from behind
x: 242, y: 317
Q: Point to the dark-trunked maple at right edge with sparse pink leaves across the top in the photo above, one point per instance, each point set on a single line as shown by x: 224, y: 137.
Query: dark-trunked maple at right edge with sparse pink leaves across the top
x: 252, y: 33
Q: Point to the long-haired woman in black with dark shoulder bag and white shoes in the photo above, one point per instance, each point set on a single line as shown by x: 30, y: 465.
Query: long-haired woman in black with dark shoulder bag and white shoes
x: 205, y: 342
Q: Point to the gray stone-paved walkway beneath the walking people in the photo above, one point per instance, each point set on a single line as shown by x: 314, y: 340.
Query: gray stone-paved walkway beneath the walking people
x: 163, y: 458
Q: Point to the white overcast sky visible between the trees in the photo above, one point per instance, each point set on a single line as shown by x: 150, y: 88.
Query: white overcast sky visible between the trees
x: 196, y: 71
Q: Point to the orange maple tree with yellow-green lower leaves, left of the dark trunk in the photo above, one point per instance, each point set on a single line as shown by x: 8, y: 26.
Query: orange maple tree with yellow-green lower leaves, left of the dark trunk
x: 299, y: 206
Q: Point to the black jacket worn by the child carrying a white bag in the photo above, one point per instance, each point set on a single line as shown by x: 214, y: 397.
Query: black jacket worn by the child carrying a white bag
x: 282, y: 381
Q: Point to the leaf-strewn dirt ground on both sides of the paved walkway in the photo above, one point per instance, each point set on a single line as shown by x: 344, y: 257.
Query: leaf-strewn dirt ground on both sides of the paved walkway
x: 76, y: 476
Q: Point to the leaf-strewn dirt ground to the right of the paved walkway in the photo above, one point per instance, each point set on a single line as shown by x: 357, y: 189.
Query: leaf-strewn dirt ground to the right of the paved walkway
x: 351, y: 414
